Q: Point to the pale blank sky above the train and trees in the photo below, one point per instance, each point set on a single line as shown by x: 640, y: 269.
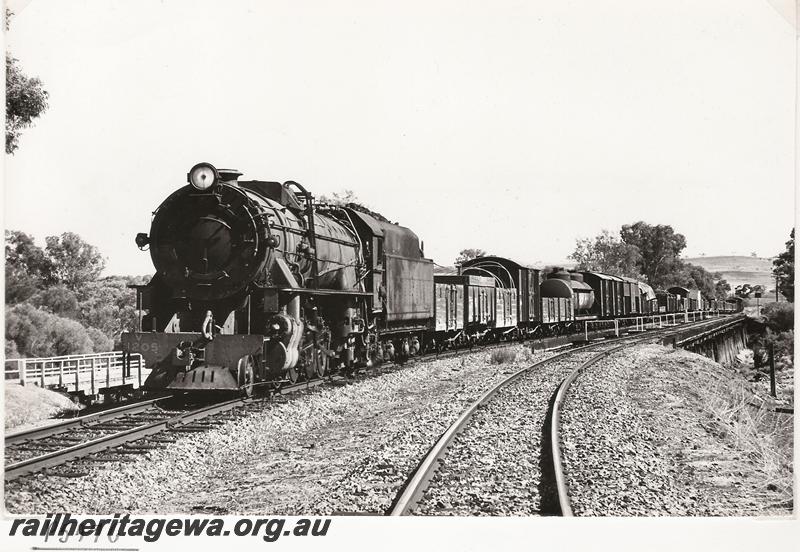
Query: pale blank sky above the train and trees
x: 512, y: 126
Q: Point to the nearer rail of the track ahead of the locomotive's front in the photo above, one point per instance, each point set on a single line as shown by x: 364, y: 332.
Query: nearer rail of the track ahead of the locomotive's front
x: 31, y: 465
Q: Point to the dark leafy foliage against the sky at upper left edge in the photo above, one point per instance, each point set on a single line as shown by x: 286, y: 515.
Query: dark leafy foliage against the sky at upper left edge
x: 26, y: 100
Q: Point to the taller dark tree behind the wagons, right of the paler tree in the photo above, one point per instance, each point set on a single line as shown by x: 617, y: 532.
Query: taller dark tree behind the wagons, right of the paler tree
x: 659, y: 247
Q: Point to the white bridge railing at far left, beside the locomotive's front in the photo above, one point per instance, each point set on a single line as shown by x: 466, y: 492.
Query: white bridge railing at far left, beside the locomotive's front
x: 88, y: 373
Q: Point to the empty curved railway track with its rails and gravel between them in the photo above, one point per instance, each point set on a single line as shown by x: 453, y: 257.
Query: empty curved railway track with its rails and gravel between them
x: 508, y: 437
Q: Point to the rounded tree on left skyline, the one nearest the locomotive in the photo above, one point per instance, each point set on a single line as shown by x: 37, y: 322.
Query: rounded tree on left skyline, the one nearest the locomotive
x: 73, y: 262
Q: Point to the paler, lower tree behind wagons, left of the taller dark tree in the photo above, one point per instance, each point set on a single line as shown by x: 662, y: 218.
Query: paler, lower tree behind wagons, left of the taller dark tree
x: 607, y: 254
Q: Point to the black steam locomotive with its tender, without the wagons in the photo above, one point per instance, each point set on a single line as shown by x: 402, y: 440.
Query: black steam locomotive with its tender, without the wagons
x: 255, y: 283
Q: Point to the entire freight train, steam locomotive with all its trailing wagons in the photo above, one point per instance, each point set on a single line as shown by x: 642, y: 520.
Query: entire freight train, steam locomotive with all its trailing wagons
x: 257, y: 284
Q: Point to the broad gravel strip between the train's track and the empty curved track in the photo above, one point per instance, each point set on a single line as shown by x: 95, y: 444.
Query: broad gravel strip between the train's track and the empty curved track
x: 334, y: 449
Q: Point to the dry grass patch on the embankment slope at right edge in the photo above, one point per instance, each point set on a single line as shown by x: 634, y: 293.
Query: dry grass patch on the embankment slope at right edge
x: 766, y: 437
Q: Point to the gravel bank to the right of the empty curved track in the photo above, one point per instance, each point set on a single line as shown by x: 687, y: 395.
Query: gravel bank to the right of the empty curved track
x: 654, y: 431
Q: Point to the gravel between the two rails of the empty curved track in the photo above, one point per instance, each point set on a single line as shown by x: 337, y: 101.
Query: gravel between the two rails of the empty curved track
x: 494, y: 467
